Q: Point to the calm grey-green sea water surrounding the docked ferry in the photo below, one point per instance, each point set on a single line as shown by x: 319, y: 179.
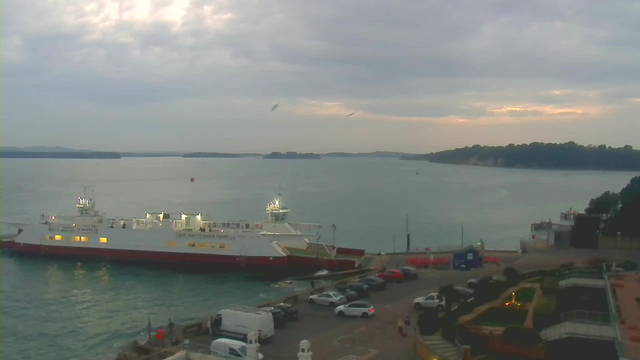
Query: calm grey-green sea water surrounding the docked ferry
x: 58, y: 309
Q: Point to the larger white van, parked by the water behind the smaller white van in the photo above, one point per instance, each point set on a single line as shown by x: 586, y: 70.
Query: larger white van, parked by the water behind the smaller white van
x: 238, y: 321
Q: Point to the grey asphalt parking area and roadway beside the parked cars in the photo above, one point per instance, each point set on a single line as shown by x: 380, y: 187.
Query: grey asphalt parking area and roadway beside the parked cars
x: 353, y: 338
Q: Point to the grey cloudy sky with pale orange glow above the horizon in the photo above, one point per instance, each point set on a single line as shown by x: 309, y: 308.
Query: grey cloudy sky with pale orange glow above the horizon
x: 193, y: 75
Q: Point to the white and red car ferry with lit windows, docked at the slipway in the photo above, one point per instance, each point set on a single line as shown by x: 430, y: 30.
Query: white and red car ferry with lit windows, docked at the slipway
x: 189, y: 239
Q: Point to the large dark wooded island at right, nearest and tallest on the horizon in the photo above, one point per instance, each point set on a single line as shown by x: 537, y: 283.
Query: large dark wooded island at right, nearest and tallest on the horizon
x: 569, y: 156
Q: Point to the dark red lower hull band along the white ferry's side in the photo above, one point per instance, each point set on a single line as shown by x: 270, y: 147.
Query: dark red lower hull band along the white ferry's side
x: 146, y: 256
